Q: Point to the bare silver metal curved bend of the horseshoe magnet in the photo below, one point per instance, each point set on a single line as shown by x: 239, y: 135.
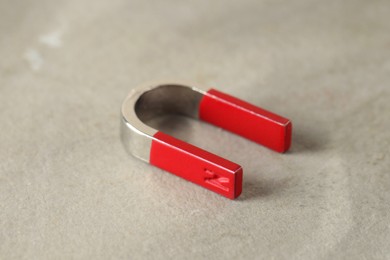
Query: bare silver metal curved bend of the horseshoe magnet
x: 153, y: 100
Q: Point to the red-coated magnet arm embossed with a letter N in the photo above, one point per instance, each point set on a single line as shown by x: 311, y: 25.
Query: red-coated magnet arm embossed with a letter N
x: 194, y: 164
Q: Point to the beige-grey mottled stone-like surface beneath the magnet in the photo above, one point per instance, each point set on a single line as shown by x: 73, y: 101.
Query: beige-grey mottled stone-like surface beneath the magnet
x: 68, y: 190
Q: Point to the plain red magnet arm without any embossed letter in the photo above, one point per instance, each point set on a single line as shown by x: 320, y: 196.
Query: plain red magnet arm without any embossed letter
x: 247, y: 120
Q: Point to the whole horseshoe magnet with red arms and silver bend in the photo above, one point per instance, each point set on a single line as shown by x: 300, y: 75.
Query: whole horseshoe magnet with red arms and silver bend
x: 188, y: 161
